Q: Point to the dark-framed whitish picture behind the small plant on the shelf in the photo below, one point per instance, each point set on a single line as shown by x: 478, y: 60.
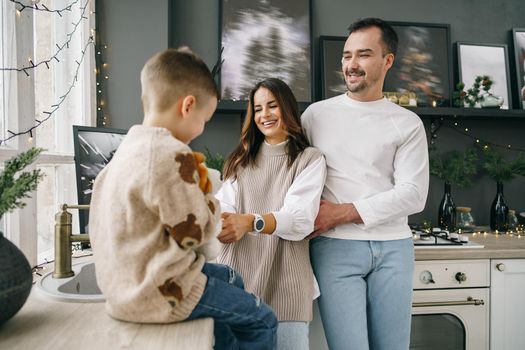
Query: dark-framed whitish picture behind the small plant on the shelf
x: 485, y: 59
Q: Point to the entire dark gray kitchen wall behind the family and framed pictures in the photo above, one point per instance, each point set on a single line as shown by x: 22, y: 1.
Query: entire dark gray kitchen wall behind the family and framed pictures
x: 135, y: 30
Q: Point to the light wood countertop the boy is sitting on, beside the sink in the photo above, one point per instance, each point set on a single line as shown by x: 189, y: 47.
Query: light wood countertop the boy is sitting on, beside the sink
x: 46, y: 324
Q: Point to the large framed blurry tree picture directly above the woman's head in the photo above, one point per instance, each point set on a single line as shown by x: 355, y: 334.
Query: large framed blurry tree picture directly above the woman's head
x: 262, y: 39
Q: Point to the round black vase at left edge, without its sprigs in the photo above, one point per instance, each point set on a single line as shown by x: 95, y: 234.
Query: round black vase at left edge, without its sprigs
x: 16, y: 279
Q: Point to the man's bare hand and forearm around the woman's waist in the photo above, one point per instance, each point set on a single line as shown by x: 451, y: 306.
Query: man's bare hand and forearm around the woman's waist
x: 331, y: 215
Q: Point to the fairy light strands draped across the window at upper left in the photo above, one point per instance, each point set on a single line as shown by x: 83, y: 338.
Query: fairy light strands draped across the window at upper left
x: 101, y: 70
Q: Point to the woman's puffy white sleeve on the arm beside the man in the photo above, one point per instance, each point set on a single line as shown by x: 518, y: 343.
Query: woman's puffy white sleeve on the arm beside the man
x: 295, y: 220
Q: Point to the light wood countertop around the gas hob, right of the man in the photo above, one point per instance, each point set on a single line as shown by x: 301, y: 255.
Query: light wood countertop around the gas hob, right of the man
x: 496, y: 246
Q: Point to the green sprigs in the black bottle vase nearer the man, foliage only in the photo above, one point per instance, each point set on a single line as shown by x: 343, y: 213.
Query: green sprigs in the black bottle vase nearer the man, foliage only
x: 454, y: 167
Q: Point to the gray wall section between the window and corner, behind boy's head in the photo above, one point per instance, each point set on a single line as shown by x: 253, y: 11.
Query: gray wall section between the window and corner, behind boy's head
x: 134, y: 30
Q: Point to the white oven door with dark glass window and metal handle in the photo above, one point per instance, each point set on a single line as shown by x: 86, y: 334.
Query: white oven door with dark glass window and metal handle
x: 454, y: 319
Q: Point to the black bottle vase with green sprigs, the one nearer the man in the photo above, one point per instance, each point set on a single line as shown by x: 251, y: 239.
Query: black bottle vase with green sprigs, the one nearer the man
x: 454, y: 168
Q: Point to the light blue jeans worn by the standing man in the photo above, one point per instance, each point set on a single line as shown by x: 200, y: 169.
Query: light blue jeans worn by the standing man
x: 366, y: 292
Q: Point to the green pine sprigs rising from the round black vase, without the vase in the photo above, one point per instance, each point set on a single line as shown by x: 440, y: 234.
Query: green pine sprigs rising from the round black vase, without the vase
x: 14, y: 186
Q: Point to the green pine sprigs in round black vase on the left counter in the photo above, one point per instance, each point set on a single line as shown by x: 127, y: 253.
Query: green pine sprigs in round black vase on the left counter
x: 16, y: 276
